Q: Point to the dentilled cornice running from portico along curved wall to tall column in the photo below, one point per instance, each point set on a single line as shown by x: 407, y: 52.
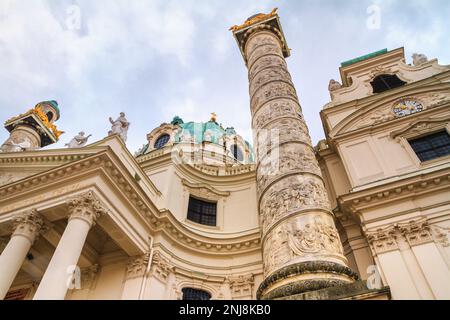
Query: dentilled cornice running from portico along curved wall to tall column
x: 107, y: 163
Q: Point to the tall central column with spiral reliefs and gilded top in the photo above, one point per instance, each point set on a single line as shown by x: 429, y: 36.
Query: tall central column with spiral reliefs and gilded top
x: 301, y: 246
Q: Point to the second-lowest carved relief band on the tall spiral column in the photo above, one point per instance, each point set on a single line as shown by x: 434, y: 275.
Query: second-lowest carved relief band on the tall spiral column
x: 291, y: 195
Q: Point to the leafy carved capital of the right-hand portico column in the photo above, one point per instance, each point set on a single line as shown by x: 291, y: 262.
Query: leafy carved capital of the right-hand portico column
x: 86, y: 207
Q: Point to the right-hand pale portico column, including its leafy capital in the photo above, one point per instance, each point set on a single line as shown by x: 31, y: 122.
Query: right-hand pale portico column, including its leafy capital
x: 83, y: 212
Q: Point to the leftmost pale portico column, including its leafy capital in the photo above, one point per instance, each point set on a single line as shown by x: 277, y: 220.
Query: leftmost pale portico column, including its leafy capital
x: 26, y: 228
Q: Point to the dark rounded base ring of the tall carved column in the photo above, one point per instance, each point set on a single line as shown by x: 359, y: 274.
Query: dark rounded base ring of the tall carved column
x: 304, y: 277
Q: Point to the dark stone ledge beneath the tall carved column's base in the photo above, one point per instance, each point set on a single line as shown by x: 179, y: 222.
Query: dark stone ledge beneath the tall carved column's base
x: 354, y: 291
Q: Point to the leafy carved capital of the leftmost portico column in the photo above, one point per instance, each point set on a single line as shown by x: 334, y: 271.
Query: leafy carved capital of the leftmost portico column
x: 28, y: 225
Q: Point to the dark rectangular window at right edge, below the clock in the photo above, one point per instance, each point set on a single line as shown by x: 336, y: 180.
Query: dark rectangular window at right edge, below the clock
x: 432, y: 146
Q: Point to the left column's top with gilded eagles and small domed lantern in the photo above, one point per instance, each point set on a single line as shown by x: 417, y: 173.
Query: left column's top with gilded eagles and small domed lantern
x: 33, y: 129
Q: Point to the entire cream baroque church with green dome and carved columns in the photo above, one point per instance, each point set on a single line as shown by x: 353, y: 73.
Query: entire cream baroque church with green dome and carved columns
x: 199, y: 213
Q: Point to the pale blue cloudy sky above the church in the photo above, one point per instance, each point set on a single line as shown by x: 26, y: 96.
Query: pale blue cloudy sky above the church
x: 155, y: 59
